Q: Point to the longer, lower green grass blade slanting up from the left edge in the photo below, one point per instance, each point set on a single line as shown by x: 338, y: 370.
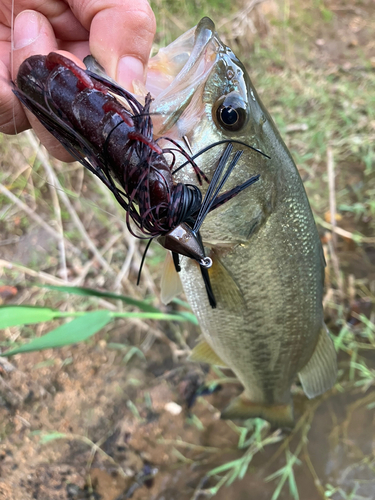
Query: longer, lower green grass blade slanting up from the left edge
x: 77, y: 330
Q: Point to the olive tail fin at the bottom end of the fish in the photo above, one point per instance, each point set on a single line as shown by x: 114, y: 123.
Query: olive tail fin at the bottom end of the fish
x: 279, y: 416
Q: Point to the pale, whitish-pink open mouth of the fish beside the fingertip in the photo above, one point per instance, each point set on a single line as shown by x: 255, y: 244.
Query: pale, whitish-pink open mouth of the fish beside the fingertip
x: 178, y: 72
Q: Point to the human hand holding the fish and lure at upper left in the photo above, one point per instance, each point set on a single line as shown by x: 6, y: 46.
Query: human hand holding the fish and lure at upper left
x: 118, y: 33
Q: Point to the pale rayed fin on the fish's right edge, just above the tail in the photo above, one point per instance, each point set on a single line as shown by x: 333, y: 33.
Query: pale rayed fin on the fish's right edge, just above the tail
x: 320, y: 373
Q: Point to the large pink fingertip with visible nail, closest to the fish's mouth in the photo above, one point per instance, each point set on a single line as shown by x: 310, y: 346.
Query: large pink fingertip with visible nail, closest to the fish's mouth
x: 121, y: 35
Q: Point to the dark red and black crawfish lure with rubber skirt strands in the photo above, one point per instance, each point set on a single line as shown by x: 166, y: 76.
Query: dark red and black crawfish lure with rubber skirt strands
x: 115, y: 142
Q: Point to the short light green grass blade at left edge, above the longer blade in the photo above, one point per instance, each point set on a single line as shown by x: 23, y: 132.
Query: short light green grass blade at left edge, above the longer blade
x: 24, y: 315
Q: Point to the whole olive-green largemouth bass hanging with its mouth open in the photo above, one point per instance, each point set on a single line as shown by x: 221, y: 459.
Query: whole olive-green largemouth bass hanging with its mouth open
x: 268, y: 265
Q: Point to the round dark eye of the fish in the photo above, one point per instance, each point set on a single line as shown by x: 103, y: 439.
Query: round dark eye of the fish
x: 230, y: 112
